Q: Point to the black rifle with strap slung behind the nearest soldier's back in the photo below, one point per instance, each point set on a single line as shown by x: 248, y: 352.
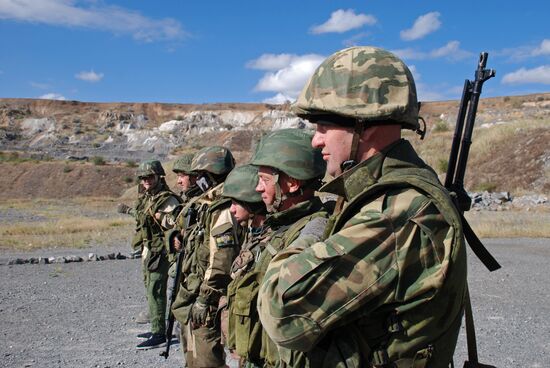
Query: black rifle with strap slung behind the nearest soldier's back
x: 454, y: 182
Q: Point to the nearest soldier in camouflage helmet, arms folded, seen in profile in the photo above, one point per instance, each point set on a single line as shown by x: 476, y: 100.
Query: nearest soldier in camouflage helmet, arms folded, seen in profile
x: 386, y: 287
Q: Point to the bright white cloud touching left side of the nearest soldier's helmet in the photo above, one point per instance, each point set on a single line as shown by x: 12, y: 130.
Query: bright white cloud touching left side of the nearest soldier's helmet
x: 291, y: 76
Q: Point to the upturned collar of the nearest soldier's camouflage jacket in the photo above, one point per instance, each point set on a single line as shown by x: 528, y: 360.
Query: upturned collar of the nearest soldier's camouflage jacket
x: 363, y: 175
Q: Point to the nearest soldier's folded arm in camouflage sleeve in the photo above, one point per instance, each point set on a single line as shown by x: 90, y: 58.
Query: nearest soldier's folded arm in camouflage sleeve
x: 307, y: 292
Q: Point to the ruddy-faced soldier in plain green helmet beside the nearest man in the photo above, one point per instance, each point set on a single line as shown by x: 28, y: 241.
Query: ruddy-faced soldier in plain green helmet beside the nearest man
x: 289, y: 171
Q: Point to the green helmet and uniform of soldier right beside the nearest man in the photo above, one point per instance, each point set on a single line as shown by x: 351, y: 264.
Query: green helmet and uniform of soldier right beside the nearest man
x: 287, y: 151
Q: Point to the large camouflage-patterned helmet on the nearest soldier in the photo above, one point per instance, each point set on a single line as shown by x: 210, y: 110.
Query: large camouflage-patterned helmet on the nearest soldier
x: 360, y: 83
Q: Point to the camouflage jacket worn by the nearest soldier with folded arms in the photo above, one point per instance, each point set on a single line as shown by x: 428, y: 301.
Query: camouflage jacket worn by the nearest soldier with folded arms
x: 387, y: 284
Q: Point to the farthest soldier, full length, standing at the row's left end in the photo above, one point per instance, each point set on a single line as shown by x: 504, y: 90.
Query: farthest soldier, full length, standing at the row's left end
x: 156, y: 213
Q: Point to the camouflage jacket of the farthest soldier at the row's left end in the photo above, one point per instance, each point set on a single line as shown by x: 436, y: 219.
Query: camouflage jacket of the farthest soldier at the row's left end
x: 160, y: 201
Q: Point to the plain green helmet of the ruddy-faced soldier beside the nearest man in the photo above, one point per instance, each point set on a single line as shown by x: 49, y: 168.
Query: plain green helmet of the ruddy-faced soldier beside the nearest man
x: 290, y: 151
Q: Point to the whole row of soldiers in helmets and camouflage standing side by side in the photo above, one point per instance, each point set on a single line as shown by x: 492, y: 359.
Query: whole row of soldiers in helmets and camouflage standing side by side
x: 283, y: 279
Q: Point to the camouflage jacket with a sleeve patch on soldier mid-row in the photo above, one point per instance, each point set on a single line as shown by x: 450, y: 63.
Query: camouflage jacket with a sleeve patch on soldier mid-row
x: 210, y: 246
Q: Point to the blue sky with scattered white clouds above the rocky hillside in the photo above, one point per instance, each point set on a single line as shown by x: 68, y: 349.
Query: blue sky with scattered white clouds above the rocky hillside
x: 185, y: 51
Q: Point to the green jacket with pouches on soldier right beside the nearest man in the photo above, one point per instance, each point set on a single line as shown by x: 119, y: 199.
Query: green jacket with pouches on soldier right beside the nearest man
x: 280, y: 229
